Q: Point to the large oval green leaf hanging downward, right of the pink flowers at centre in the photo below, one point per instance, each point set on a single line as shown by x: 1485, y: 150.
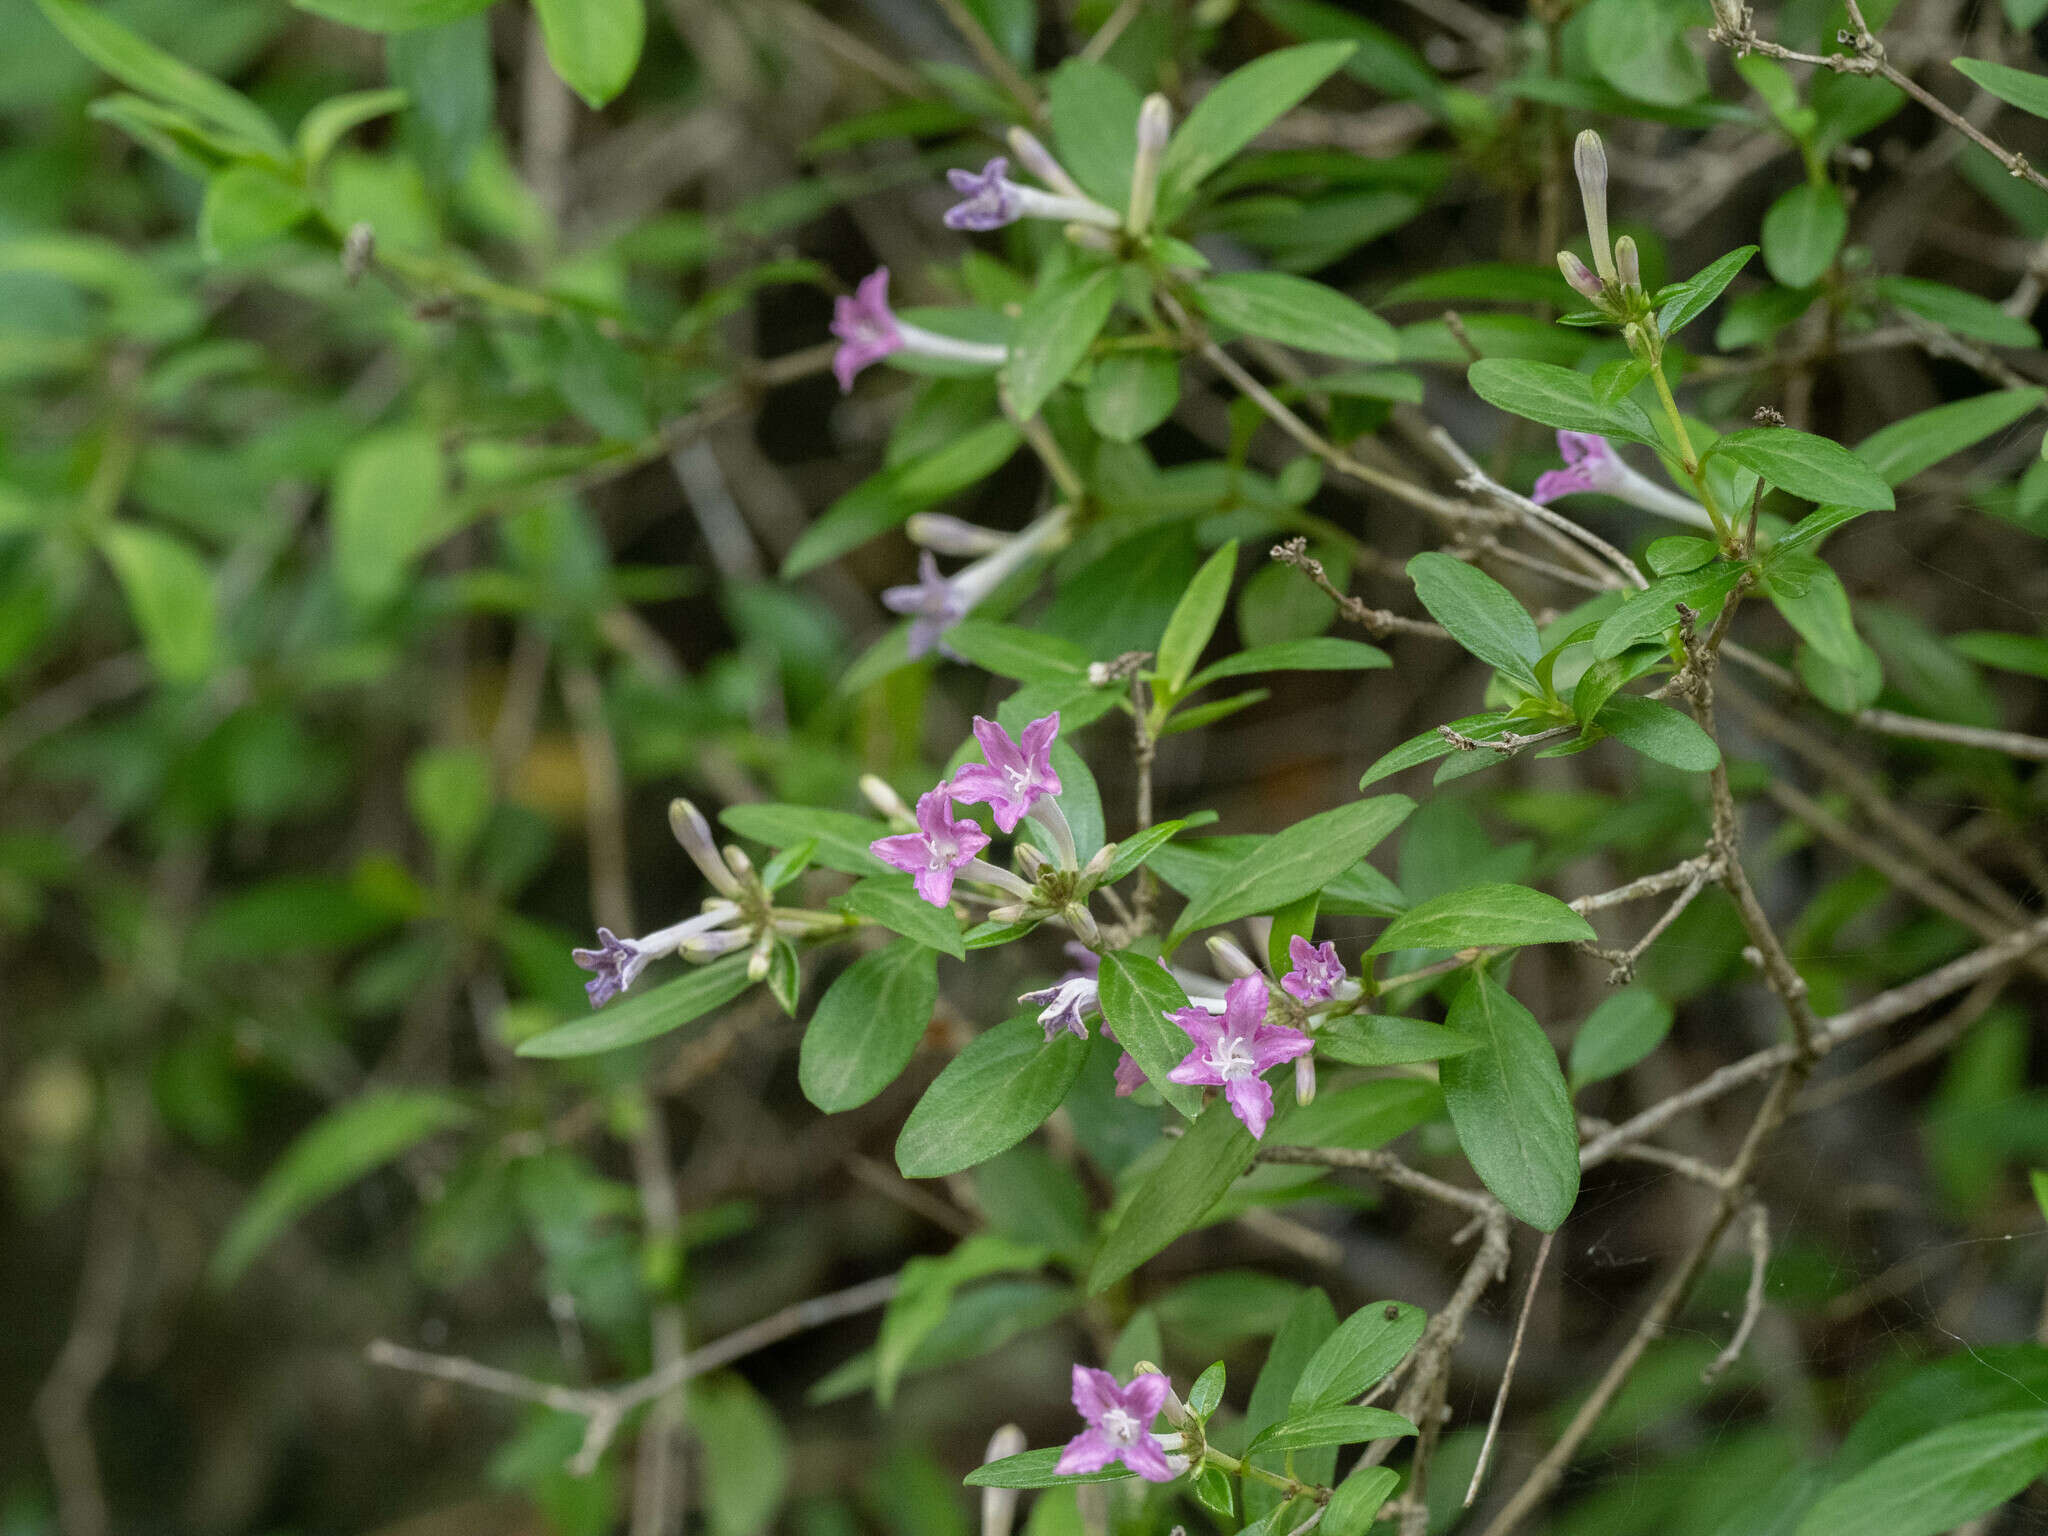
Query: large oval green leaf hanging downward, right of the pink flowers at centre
x: 1510, y: 1105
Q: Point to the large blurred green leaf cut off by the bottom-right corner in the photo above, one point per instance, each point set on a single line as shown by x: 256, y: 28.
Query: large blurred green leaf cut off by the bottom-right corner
x: 1938, y: 1482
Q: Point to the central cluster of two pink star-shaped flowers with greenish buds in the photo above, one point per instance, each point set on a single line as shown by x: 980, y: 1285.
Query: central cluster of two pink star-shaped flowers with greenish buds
x: 1017, y: 783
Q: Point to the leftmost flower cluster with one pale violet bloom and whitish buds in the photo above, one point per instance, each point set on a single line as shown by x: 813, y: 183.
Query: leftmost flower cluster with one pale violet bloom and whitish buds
x: 742, y: 914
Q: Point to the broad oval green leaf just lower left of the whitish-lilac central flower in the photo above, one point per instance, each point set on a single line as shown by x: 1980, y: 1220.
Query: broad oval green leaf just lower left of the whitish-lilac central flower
x: 988, y: 1099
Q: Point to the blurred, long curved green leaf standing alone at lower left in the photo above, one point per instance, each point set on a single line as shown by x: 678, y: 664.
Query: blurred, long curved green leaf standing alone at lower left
x: 333, y: 1154
